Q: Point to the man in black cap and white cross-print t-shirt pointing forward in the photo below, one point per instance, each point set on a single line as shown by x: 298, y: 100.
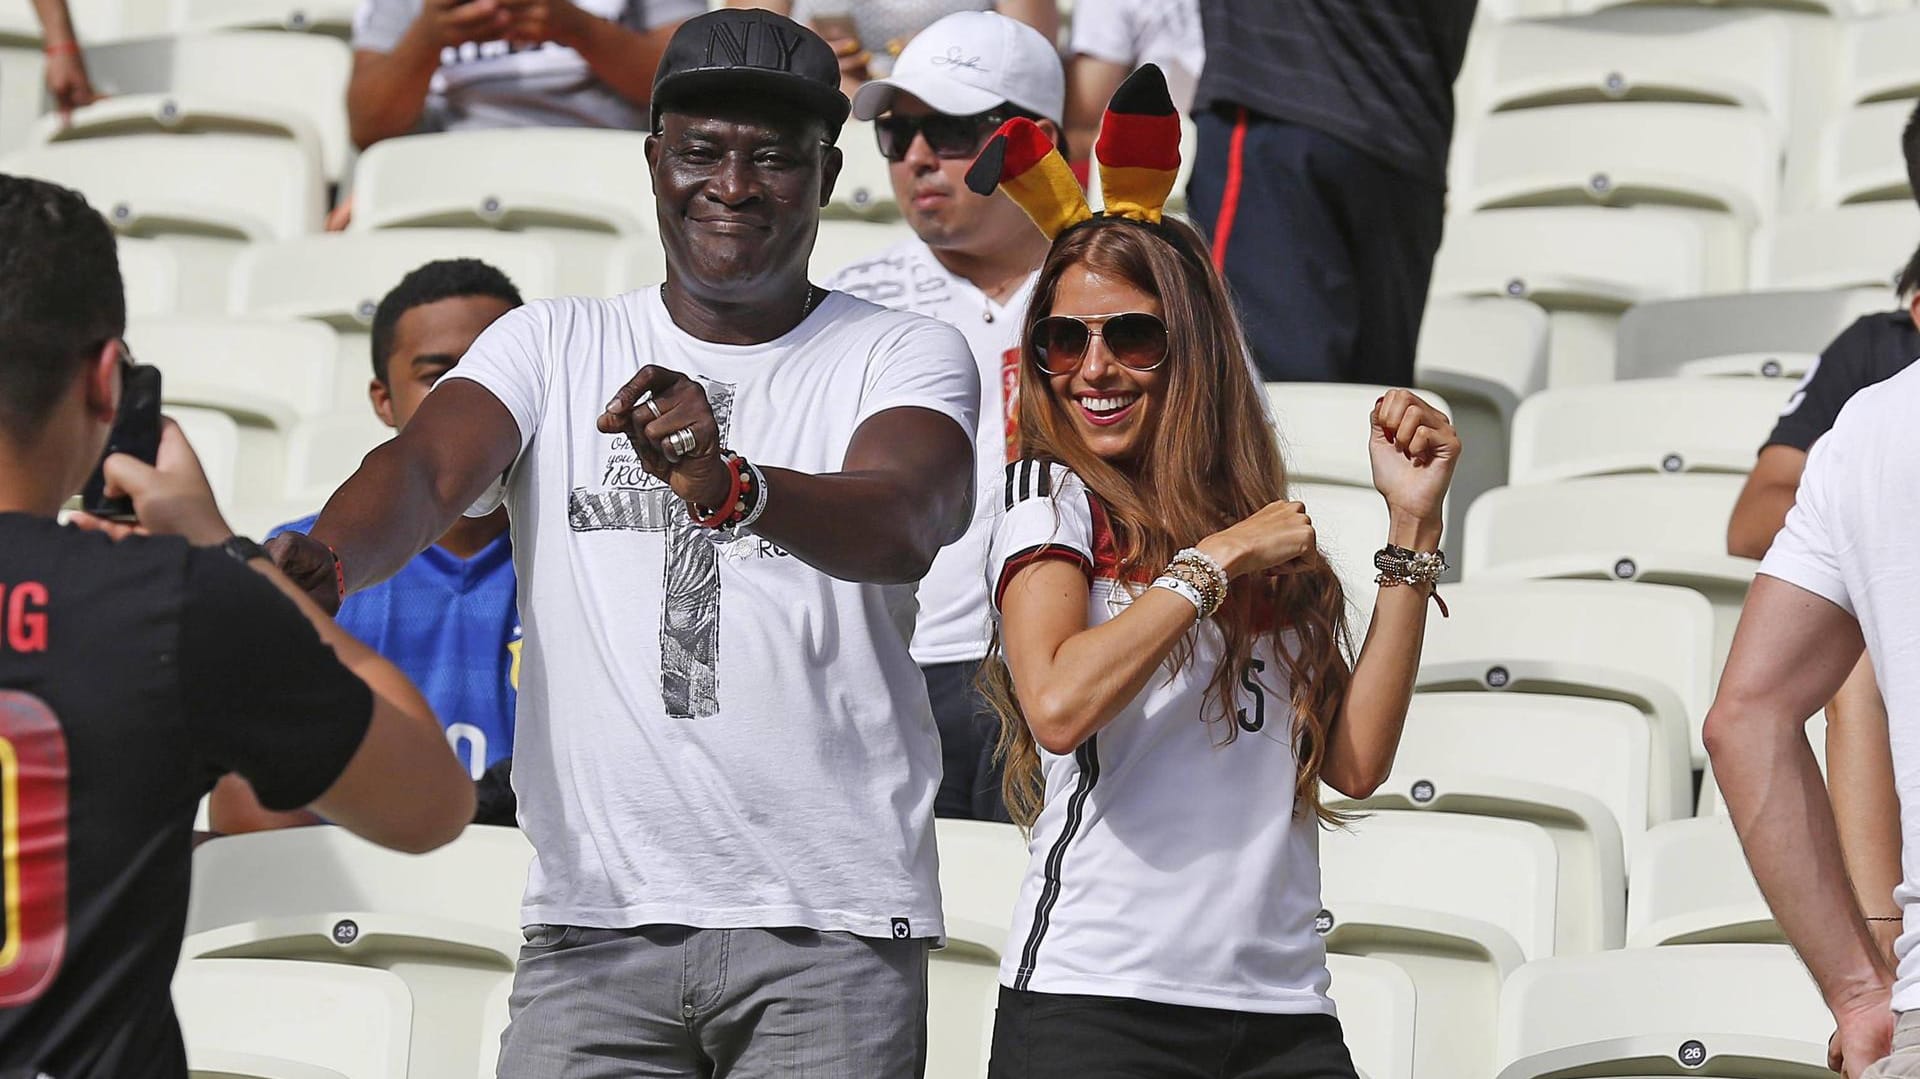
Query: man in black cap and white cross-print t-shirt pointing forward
x: 723, y: 492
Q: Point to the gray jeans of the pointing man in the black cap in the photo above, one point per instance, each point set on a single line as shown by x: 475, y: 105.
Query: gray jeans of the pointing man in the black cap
x: 669, y: 1001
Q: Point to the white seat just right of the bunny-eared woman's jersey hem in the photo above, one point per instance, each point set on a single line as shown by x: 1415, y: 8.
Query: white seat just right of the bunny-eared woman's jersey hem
x: 1456, y: 901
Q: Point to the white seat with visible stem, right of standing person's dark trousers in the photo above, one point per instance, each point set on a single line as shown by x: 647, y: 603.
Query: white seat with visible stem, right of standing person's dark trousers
x: 1583, y: 266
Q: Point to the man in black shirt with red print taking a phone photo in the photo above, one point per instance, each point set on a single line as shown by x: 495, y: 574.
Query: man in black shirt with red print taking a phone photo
x: 141, y: 663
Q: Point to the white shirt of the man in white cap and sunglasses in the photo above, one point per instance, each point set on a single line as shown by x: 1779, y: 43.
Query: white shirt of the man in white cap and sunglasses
x: 955, y: 623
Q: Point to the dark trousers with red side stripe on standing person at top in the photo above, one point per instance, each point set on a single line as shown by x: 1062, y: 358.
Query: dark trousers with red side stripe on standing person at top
x: 1328, y: 251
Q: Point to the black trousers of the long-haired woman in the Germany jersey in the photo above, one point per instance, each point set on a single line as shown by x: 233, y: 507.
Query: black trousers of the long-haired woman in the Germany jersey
x: 1059, y: 1036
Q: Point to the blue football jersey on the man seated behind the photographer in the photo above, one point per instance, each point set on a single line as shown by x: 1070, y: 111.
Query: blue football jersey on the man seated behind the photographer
x: 454, y: 627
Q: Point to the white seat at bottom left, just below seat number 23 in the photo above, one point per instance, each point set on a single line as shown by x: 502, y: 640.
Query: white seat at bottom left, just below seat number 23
x: 348, y: 1020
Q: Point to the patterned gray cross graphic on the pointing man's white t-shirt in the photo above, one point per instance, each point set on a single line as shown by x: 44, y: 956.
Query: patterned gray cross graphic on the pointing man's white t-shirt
x: 690, y: 585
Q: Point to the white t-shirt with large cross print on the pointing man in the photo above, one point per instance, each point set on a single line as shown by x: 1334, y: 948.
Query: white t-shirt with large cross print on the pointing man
x: 711, y: 732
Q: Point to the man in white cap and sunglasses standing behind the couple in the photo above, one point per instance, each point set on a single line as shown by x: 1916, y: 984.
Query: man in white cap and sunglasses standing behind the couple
x: 972, y: 266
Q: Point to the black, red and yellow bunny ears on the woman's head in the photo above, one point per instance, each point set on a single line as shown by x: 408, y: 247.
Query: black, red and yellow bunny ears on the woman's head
x: 1138, y: 151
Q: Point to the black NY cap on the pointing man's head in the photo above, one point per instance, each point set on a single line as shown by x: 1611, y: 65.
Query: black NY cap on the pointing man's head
x: 750, y: 49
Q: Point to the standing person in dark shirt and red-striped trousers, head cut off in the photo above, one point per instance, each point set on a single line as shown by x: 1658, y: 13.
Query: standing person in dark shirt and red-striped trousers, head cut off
x: 1322, y: 174
